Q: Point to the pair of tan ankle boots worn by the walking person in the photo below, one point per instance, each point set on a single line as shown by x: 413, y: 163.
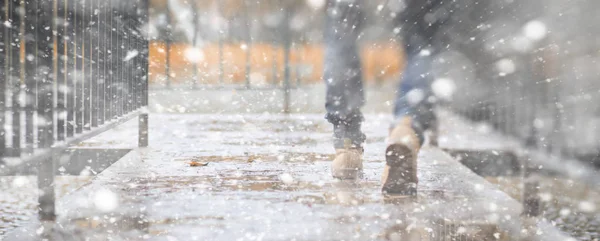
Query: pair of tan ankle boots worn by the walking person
x: 400, y: 173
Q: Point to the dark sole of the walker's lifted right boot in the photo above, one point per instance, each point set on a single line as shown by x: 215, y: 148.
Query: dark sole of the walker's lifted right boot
x: 399, y: 158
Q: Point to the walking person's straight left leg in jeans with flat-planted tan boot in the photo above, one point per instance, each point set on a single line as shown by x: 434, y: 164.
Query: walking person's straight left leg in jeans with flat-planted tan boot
x: 343, y: 79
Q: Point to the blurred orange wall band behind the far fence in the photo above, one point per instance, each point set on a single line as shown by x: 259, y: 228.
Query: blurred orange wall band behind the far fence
x: 380, y: 62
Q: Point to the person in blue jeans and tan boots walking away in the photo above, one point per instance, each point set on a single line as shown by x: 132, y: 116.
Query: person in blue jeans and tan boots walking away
x: 413, y: 113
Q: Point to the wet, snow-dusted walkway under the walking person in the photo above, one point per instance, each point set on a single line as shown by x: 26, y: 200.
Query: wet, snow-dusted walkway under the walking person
x: 266, y: 177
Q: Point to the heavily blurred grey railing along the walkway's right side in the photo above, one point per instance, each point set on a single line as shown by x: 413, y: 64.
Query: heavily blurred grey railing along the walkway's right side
x: 528, y: 71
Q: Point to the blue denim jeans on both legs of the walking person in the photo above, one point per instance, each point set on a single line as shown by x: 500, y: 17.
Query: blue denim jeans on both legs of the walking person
x: 343, y: 75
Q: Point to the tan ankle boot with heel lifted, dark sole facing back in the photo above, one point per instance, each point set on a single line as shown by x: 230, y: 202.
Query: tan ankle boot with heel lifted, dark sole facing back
x: 400, y: 172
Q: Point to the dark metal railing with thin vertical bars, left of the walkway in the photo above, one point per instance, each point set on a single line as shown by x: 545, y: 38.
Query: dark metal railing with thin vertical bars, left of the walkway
x: 69, y: 70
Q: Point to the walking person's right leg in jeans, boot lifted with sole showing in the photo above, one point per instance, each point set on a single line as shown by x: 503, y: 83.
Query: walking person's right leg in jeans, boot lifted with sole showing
x: 413, y: 112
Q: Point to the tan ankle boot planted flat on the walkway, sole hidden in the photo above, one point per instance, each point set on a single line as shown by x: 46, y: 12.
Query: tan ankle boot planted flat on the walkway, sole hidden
x: 347, y: 163
